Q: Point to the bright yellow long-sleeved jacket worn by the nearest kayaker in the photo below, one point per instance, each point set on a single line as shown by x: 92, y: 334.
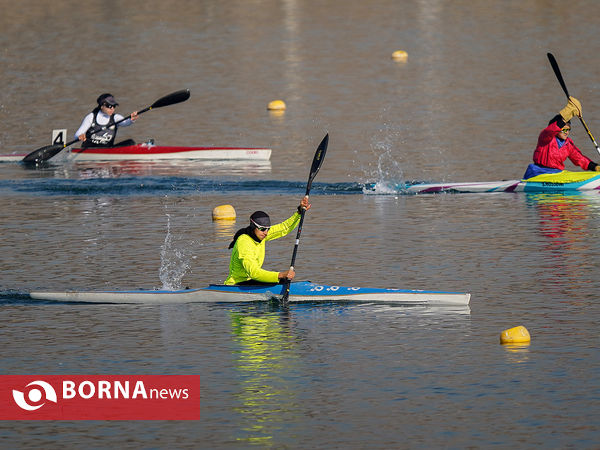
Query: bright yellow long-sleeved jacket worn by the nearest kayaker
x: 247, y: 255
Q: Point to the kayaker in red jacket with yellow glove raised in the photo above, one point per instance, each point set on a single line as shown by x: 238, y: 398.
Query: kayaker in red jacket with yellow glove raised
x: 554, y: 145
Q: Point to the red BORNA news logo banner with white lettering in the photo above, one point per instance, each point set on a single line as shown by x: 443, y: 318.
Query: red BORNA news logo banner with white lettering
x: 99, y: 397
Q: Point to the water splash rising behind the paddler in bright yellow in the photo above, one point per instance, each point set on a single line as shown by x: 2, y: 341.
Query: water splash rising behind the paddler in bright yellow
x: 174, y: 261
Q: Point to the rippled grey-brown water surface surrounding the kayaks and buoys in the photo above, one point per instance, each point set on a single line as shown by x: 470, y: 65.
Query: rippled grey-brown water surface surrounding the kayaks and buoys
x: 466, y: 106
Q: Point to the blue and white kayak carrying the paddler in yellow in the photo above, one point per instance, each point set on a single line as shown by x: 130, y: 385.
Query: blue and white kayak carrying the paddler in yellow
x: 303, y: 291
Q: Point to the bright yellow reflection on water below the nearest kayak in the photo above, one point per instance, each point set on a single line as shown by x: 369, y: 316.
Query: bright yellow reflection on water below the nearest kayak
x: 265, y: 358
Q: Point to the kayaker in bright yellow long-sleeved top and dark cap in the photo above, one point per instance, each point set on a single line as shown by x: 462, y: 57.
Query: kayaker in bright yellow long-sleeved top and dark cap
x: 248, y: 244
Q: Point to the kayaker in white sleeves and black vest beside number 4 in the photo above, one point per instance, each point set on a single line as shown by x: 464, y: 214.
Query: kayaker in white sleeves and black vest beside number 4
x: 92, y: 133
